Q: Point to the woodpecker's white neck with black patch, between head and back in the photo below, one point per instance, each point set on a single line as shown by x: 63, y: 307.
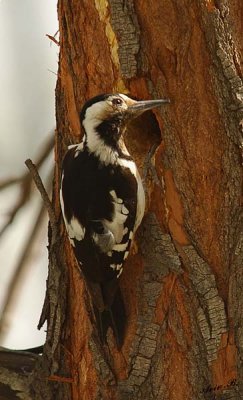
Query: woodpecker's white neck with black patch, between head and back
x: 106, y: 141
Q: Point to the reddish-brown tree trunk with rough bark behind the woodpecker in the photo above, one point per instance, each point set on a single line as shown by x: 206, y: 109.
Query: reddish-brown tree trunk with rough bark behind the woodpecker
x: 182, y: 283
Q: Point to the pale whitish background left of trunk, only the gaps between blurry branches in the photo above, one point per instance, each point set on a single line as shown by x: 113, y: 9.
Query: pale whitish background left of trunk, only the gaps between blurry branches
x: 27, y: 116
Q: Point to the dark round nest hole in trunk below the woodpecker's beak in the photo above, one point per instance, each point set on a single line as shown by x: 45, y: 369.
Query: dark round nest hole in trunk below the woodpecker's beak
x: 142, y: 133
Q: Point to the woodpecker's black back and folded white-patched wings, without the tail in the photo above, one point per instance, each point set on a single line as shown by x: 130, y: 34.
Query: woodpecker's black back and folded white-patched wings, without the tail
x: 99, y: 220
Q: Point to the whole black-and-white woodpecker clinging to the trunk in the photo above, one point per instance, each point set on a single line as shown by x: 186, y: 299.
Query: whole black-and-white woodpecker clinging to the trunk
x: 102, y: 201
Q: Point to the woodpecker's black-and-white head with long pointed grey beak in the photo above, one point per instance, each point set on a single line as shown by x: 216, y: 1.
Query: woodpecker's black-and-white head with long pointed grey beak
x: 104, y: 117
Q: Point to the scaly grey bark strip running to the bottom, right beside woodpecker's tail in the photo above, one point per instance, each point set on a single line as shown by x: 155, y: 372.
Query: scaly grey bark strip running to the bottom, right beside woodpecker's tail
x: 160, y: 259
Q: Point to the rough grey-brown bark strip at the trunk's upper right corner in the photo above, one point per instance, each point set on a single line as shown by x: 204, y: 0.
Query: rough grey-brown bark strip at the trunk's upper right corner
x: 227, y: 72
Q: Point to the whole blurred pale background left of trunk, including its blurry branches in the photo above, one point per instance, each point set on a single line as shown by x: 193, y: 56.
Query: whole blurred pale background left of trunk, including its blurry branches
x: 28, y: 67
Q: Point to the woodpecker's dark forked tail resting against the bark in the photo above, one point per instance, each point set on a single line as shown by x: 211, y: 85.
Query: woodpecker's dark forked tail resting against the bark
x: 113, y: 315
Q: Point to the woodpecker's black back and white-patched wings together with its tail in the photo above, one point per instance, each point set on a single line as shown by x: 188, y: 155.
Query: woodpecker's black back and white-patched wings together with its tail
x: 100, y: 223
